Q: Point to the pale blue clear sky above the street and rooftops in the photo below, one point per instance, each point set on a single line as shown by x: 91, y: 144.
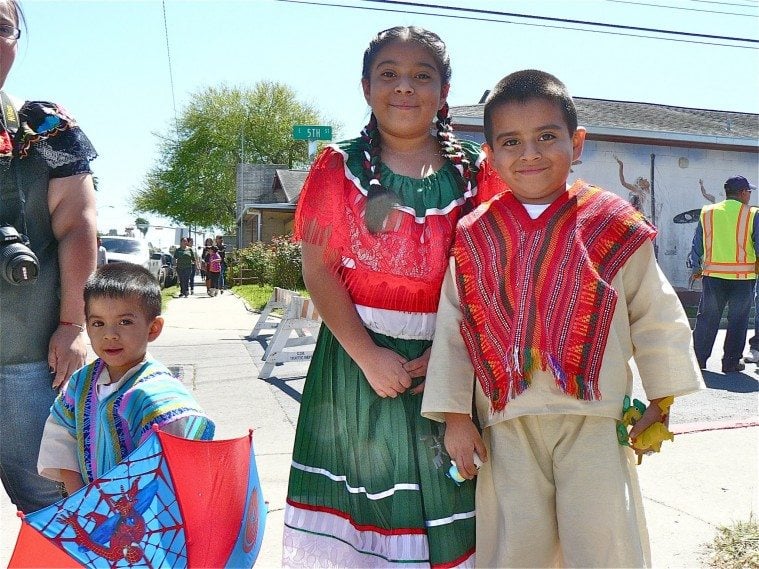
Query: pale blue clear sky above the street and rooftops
x: 107, y: 62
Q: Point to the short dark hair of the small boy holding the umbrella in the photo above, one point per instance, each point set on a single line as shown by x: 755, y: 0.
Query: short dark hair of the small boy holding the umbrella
x: 125, y: 280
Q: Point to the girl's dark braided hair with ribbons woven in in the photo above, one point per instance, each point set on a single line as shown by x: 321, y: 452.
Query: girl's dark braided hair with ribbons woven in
x: 381, y: 200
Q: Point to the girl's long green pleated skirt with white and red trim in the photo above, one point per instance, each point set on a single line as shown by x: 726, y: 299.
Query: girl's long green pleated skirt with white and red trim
x: 368, y: 484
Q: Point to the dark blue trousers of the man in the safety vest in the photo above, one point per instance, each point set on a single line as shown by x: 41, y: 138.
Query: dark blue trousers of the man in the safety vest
x: 716, y: 293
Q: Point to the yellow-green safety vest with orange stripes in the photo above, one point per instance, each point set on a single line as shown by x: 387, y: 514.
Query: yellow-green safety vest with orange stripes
x: 728, y: 241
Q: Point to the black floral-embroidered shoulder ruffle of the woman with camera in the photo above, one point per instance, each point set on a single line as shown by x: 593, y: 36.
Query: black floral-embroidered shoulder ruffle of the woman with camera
x: 48, y: 130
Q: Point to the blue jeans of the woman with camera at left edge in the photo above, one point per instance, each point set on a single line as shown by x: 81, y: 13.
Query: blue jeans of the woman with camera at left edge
x: 26, y: 394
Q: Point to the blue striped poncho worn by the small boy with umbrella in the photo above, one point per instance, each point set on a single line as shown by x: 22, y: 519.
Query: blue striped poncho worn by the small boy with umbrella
x: 108, y: 430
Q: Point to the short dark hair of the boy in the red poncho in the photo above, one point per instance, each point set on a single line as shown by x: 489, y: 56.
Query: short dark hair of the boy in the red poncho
x: 527, y: 85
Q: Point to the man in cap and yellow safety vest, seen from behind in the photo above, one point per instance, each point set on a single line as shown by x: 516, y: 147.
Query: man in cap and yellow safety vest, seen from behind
x: 724, y: 251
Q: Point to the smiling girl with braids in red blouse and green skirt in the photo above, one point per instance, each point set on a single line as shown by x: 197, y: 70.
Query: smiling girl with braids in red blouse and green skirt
x: 368, y: 484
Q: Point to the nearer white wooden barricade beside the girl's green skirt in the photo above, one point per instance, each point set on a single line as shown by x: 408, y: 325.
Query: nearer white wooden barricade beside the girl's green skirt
x: 300, y: 318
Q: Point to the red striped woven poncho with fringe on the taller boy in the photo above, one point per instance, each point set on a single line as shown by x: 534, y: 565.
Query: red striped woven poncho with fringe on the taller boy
x: 536, y: 293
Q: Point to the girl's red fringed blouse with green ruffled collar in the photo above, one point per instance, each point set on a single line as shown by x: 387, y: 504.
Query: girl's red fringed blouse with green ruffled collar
x: 402, y: 267
